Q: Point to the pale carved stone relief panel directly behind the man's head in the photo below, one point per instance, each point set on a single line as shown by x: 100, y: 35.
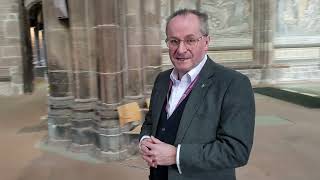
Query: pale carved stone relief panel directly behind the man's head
x: 230, y: 21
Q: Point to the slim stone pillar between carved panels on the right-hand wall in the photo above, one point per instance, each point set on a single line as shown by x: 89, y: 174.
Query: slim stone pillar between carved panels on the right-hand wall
x: 263, y: 38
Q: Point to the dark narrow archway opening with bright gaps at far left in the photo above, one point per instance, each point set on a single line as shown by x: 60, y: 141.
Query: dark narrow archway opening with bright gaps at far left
x: 32, y: 42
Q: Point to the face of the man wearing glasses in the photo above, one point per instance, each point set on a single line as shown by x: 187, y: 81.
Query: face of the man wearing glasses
x: 187, y: 27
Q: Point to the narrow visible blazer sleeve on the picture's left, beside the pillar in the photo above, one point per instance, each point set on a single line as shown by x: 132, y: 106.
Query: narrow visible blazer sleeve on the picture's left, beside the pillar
x: 147, y: 124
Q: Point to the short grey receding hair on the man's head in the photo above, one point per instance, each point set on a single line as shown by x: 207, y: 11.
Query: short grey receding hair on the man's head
x: 203, y: 18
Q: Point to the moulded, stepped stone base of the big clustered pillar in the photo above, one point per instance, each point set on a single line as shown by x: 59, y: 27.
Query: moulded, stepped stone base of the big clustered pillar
x: 85, y: 127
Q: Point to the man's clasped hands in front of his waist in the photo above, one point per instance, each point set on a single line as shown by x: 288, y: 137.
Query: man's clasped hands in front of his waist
x: 156, y: 152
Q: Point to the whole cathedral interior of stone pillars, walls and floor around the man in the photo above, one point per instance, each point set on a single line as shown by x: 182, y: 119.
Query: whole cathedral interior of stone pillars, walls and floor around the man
x: 70, y: 70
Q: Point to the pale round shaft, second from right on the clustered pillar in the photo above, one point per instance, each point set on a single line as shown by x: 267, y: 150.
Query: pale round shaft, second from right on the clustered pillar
x: 134, y: 75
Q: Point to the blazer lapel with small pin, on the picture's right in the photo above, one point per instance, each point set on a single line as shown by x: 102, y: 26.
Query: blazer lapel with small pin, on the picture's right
x: 196, y: 97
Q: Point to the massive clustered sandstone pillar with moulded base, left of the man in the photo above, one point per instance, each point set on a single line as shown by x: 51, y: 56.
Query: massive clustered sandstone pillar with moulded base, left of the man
x: 105, y: 54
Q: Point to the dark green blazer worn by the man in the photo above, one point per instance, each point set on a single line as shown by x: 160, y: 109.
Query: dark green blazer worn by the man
x: 217, y: 126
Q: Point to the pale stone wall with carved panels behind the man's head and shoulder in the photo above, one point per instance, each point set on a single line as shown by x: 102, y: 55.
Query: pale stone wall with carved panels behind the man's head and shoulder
x: 271, y: 41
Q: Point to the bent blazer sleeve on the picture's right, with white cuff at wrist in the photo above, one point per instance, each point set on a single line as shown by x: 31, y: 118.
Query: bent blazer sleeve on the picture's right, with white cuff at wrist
x: 234, y: 136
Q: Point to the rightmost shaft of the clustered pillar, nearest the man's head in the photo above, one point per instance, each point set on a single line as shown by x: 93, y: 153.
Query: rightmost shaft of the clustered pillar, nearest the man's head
x: 151, y: 56
